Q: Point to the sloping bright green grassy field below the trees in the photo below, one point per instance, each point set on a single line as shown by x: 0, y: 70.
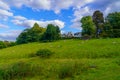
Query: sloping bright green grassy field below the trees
x: 97, y: 59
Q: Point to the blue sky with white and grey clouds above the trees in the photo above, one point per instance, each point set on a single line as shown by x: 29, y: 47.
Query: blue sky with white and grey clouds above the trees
x: 16, y: 15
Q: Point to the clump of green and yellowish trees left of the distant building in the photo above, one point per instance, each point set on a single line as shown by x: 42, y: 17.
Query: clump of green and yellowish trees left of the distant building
x: 37, y: 33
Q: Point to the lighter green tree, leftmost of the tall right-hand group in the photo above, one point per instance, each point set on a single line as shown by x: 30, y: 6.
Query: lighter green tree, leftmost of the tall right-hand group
x: 88, y: 26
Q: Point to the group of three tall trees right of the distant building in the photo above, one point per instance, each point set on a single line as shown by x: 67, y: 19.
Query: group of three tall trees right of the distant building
x: 96, y: 26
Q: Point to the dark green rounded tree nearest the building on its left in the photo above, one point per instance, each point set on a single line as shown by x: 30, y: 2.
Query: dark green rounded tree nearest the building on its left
x: 52, y: 33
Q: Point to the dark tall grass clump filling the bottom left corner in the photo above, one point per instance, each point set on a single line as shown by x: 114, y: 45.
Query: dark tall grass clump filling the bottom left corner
x: 18, y: 71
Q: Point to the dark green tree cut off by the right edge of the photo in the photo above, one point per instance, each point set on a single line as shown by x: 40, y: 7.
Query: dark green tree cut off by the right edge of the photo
x: 114, y: 20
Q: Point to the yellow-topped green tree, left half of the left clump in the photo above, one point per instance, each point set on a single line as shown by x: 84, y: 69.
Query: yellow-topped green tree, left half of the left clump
x: 31, y: 35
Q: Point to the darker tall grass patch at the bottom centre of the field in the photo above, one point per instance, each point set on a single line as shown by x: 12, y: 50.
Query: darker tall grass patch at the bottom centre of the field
x: 70, y: 69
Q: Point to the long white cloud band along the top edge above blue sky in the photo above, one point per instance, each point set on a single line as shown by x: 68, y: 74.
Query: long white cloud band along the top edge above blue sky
x: 55, y: 5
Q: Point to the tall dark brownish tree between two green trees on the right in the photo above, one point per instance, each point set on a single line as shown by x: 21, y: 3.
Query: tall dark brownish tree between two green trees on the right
x: 98, y: 20
